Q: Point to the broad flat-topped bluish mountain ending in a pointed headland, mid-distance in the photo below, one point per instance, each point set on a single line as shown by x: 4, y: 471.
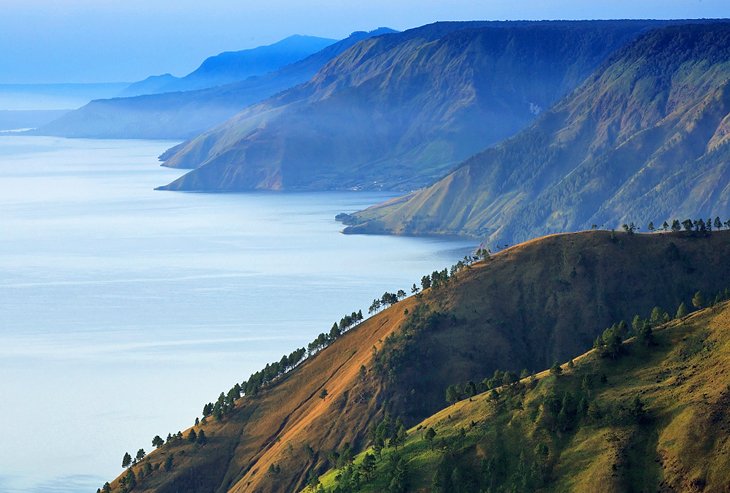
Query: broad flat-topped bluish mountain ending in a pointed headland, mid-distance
x: 399, y: 111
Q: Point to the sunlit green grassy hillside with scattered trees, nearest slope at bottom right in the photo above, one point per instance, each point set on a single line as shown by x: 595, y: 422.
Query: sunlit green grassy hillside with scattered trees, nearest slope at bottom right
x: 655, y: 418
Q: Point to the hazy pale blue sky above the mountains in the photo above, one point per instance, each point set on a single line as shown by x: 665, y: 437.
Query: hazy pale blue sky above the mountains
x: 126, y: 40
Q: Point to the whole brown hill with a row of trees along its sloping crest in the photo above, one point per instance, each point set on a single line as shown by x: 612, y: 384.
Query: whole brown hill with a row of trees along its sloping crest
x: 525, y: 307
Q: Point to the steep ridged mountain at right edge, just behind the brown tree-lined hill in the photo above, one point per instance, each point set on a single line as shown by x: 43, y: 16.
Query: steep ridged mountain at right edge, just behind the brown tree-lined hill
x: 644, y: 138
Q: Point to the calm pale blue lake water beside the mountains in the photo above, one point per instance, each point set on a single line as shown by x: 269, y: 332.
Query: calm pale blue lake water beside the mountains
x: 123, y: 310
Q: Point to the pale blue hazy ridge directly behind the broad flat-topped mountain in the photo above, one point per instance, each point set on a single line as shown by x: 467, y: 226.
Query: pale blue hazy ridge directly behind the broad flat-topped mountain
x: 177, y: 115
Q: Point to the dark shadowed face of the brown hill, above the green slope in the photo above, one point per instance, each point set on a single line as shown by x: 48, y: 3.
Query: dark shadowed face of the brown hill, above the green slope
x: 546, y: 300
